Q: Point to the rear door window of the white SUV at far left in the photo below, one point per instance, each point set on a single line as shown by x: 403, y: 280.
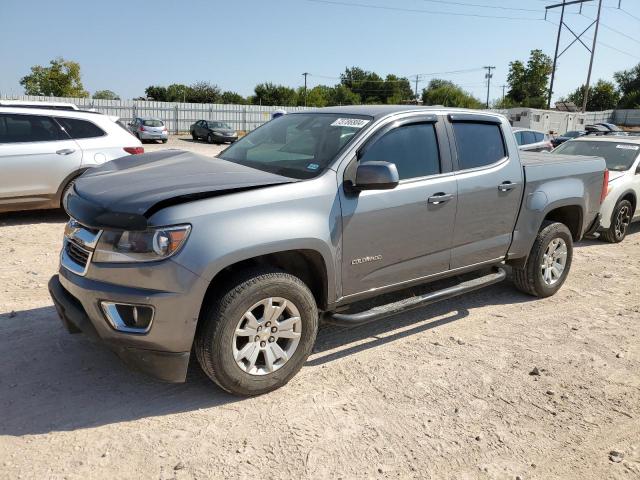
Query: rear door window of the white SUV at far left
x: 15, y: 128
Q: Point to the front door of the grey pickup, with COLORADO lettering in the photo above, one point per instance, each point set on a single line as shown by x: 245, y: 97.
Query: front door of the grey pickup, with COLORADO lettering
x: 395, y: 236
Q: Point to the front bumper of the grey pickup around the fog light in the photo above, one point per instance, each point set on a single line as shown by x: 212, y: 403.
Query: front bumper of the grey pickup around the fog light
x: 77, y: 302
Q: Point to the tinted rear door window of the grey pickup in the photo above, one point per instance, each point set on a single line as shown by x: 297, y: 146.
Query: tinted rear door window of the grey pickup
x: 478, y: 144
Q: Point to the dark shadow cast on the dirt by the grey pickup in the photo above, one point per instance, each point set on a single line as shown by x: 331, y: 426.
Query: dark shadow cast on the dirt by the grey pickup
x: 53, y: 381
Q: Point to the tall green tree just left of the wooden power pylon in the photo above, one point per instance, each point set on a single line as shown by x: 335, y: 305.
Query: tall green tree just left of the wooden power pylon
x: 528, y: 85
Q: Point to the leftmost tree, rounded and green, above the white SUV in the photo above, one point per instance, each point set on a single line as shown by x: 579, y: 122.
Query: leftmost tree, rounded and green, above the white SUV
x: 60, y: 79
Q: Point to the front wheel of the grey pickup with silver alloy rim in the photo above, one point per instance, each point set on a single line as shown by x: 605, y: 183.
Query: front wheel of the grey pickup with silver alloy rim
x: 219, y: 350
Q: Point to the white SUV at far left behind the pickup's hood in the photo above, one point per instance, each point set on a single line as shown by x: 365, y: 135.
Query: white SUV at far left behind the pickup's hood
x: 42, y: 152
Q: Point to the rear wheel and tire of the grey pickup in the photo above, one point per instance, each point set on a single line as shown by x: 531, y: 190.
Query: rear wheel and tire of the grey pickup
x: 531, y: 277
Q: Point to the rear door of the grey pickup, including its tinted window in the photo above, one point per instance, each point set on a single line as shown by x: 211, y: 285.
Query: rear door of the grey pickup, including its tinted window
x: 489, y: 186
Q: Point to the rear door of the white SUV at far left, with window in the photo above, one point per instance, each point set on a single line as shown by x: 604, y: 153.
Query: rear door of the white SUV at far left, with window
x: 36, y: 157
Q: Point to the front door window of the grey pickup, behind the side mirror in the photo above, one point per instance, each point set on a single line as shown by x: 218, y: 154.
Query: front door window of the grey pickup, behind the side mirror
x: 413, y: 148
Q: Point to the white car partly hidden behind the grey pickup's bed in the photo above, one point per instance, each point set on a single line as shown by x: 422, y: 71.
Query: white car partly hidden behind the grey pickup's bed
x: 622, y: 155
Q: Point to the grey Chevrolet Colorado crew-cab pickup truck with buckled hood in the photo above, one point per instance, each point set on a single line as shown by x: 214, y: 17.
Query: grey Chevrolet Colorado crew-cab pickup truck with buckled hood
x: 237, y: 258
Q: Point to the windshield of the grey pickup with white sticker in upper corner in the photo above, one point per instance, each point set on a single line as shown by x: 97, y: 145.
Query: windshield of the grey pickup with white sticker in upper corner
x: 300, y: 145
